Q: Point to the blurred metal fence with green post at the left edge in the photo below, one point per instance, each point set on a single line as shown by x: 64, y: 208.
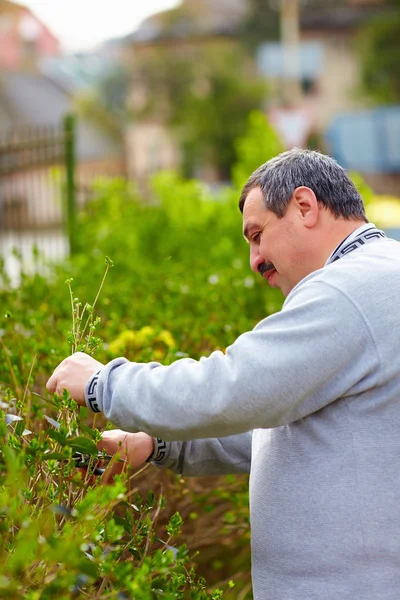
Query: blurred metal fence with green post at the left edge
x: 37, y: 194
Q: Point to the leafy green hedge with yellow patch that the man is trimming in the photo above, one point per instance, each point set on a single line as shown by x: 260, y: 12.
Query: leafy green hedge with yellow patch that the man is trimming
x: 181, y: 285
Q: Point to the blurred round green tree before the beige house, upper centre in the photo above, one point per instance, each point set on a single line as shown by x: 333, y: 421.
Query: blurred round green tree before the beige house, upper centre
x: 205, y: 95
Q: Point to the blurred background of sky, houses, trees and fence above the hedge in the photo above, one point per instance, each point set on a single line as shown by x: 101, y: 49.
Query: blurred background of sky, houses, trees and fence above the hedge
x: 171, y: 85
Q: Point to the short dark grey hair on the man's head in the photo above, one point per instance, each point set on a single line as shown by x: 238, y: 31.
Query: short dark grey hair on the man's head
x: 280, y: 176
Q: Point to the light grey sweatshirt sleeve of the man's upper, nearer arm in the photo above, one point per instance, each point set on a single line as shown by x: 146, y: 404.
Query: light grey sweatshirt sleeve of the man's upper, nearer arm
x: 318, y: 349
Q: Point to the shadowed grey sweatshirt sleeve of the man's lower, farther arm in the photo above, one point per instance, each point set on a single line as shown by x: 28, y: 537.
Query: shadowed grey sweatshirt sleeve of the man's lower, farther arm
x: 222, y: 456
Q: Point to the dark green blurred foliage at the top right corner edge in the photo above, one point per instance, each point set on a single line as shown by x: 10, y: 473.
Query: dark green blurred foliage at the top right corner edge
x: 380, y: 56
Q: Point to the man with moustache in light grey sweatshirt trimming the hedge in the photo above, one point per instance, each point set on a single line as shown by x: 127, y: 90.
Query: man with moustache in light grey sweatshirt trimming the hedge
x: 308, y: 401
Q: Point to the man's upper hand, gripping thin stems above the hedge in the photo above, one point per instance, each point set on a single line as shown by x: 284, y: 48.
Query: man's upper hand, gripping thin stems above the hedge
x: 72, y: 374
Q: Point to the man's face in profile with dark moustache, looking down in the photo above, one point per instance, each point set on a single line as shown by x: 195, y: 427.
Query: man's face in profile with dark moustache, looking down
x: 276, y: 244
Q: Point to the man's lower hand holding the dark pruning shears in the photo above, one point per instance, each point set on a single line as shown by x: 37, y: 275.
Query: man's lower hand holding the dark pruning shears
x: 134, y: 448
